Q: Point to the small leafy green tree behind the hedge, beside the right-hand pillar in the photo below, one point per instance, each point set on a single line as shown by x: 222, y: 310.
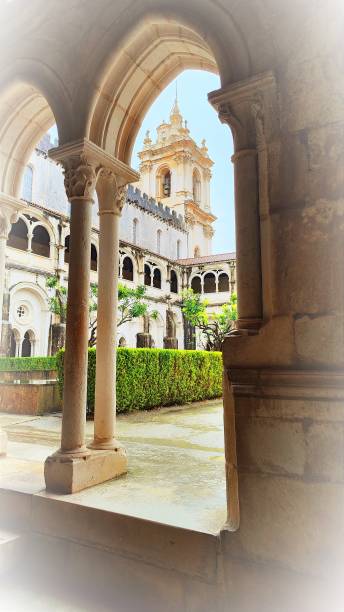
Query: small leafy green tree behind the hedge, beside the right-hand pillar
x: 213, y: 326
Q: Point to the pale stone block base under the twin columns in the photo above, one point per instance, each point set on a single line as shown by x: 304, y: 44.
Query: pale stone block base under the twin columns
x: 66, y: 474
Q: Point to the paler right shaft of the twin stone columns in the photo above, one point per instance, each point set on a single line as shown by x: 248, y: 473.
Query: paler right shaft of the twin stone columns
x: 105, y: 397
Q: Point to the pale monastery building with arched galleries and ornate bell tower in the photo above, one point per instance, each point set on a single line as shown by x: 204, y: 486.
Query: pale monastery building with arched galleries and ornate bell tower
x: 165, y: 244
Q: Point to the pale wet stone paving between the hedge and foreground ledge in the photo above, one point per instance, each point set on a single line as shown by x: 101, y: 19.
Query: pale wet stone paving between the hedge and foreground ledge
x: 176, y: 464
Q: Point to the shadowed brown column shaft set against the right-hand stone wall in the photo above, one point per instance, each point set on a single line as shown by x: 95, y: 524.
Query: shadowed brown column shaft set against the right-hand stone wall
x: 249, y: 284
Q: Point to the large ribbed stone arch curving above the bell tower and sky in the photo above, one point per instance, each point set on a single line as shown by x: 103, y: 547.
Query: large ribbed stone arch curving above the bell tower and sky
x: 150, y: 51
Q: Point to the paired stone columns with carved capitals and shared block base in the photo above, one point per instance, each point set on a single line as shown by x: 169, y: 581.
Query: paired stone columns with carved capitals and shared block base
x: 74, y: 466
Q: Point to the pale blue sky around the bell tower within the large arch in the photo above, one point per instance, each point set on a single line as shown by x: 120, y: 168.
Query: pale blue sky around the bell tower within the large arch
x: 193, y: 87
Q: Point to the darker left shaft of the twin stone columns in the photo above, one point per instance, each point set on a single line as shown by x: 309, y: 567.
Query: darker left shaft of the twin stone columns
x: 75, y: 372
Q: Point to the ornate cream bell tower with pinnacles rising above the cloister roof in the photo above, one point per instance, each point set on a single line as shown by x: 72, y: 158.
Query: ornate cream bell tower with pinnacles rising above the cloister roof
x: 177, y: 172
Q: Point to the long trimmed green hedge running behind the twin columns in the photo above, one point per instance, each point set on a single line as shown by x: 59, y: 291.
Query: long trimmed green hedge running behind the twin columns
x: 148, y: 378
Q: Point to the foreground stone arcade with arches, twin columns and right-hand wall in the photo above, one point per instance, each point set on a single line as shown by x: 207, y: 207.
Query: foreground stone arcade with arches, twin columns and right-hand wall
x: 281, y: 96
